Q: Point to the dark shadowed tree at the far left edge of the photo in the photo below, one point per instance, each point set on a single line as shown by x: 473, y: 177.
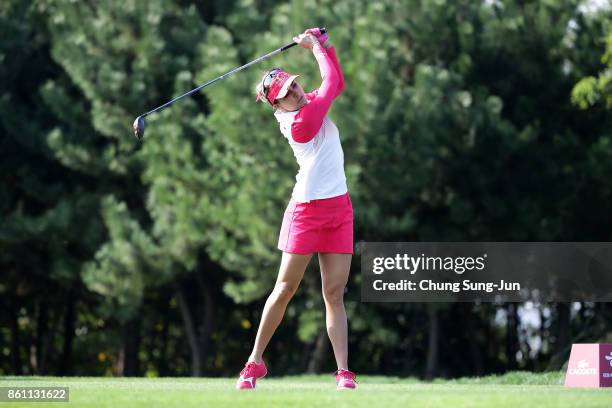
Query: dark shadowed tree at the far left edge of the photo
x: 43, y: 241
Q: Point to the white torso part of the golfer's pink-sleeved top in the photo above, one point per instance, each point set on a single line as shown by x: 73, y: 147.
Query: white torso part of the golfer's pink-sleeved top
x: 321, y: 161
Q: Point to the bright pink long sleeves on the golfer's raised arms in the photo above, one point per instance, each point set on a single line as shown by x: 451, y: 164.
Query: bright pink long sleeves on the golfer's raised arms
x: 310, y: 118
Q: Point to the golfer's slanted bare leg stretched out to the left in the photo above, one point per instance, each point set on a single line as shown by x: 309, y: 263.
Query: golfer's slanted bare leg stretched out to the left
x: 289, y: 277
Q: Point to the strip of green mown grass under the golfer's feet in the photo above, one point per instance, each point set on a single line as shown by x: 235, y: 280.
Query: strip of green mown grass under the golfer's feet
x: 517, y: 389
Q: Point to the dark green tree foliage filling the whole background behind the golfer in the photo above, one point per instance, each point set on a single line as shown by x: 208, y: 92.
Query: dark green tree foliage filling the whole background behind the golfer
x: 155, y: 257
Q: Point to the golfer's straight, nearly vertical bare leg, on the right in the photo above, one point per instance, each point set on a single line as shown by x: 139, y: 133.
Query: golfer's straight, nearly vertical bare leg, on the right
x: 334, y: 276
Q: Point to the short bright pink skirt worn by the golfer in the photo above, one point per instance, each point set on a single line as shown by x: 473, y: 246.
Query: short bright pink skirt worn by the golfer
x: 324, y: 225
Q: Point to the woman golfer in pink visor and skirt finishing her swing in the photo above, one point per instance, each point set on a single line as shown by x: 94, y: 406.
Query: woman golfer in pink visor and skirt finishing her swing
x: 319, y: 217
